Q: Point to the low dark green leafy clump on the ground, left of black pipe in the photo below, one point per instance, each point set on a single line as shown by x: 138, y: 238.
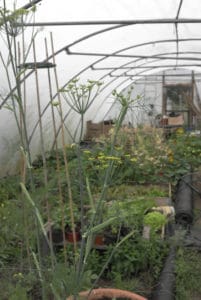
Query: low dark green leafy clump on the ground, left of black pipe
x: 133, y: 257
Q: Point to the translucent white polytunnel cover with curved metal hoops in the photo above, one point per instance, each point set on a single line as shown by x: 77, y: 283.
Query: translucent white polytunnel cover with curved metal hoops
x: 120, y: 44
